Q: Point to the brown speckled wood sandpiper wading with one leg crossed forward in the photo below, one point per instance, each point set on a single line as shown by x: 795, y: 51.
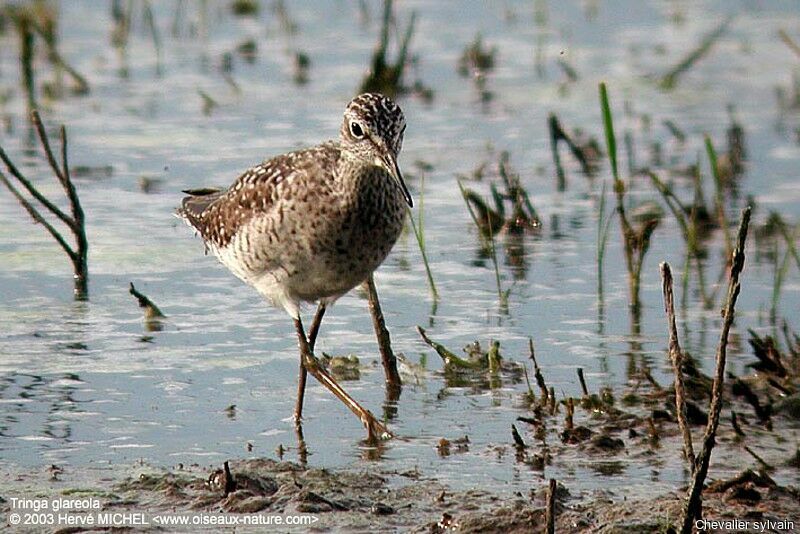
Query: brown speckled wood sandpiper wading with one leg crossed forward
x: 310, y: 225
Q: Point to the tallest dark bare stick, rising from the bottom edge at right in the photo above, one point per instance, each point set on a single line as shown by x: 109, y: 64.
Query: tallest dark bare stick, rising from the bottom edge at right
x: 692, y: 506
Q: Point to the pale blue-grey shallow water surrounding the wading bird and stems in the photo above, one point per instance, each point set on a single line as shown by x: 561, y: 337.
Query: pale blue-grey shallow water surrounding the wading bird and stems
x: 81, y: 381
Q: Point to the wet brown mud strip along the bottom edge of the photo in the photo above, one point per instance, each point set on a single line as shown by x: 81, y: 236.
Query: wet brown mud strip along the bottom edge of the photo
x: 370, y: 500
